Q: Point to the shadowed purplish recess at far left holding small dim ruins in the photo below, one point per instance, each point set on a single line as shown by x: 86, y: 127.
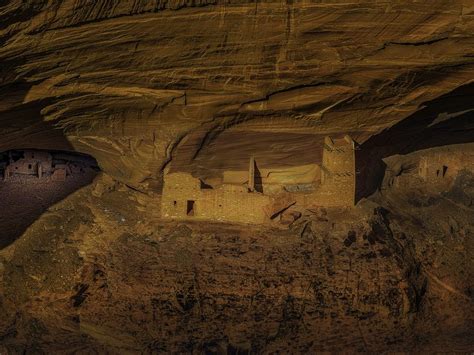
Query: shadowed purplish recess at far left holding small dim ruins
x: 31, y: 181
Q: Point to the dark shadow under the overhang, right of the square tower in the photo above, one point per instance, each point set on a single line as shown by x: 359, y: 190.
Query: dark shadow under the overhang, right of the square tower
x: 428, y: 128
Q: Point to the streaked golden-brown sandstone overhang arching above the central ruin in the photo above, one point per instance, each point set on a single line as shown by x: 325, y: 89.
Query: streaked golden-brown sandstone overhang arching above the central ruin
x: 134, y: 83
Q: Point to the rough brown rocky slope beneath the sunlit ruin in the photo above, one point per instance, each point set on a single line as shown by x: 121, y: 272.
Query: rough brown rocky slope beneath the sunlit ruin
x: 389, y: 274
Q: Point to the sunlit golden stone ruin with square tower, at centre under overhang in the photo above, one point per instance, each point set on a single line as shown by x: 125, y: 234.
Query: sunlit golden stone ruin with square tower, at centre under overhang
x: 256, y: 196
